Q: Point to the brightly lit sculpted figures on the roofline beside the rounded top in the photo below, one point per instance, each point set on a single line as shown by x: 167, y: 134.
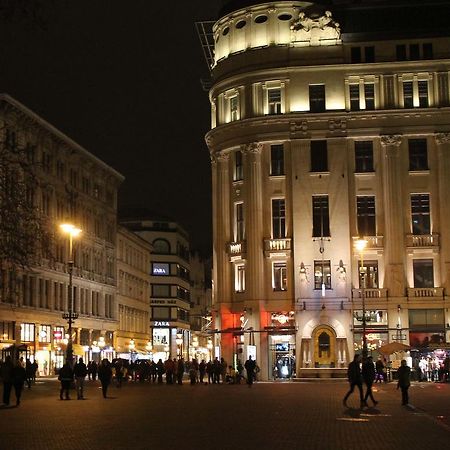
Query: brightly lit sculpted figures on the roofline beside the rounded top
x: 316, y: 31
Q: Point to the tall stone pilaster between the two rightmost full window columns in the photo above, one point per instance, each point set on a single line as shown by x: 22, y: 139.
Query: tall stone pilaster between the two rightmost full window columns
x: 393, y: 217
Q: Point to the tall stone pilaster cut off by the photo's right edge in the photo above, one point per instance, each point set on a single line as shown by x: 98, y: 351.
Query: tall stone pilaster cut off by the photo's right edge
x: 443, y: 154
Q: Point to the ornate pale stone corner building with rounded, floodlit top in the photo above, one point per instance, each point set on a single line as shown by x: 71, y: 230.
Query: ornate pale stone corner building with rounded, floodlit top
x: 330, y: 121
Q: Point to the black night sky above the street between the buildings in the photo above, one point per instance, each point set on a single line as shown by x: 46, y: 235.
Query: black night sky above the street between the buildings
x: 122, y: 78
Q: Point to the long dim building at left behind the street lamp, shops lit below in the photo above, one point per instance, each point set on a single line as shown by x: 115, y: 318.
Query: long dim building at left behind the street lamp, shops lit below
x: 74, y: 186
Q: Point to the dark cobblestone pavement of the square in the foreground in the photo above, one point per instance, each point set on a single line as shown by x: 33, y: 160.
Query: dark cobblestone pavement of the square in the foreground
x: 267, y: 416
